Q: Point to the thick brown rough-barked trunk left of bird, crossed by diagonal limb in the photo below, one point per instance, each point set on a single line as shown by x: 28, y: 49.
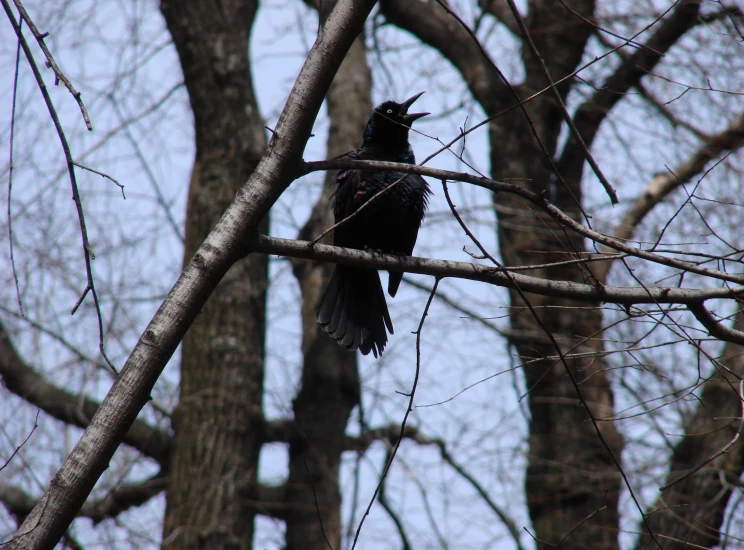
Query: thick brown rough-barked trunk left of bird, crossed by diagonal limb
x: 218, y: 420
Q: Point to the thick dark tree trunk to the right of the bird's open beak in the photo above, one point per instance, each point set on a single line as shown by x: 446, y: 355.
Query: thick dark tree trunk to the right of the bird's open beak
x: 572, y: 481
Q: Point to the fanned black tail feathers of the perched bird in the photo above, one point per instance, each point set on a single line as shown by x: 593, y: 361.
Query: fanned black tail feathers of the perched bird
x: 353, y: 310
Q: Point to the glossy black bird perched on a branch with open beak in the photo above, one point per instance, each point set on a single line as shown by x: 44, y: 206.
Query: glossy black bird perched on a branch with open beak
x: 353, y: 309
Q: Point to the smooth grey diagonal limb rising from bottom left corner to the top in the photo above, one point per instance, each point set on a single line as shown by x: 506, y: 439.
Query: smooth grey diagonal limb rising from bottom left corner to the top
x: 223, y: 246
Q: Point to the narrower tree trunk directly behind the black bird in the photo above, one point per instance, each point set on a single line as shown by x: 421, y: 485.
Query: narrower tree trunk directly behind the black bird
x: 330, y: 381
